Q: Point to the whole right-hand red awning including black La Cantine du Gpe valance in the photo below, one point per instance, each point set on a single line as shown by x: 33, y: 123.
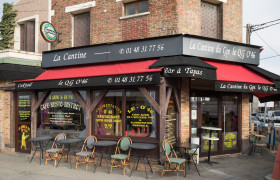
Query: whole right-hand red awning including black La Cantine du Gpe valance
x: 238, y: 78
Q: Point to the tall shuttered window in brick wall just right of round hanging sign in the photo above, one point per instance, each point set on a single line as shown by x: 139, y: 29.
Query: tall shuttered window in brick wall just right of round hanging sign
x: 82, y: 29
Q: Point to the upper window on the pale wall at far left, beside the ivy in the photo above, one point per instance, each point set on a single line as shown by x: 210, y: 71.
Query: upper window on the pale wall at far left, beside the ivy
x: 27, y: 36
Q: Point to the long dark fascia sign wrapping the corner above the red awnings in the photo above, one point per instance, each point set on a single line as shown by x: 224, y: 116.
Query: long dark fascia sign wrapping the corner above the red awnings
x: 153, y: 48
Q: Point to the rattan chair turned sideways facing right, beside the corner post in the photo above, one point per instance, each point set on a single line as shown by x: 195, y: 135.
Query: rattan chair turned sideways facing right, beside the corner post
x: 171, y: 158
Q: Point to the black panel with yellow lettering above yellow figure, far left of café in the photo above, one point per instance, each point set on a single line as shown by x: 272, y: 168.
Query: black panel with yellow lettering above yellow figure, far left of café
x: 24, y: 108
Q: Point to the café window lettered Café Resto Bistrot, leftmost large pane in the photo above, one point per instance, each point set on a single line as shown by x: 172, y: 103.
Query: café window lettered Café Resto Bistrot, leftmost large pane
x: 61, y: 112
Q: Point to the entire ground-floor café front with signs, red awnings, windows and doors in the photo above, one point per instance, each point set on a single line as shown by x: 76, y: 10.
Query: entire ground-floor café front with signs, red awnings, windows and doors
x: 149, y: 89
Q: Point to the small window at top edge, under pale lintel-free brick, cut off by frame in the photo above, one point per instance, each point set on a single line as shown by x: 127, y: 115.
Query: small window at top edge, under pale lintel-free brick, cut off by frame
x: 136, y: 7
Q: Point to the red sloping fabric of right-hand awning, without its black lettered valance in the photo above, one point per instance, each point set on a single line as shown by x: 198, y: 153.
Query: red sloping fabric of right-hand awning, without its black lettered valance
x: 237, y: 73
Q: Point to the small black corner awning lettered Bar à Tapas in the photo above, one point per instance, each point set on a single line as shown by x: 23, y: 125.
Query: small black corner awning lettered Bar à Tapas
x: 185, y: 66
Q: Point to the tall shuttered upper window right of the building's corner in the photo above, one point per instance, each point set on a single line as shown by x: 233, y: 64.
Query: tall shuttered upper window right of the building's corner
x: 211, y: 19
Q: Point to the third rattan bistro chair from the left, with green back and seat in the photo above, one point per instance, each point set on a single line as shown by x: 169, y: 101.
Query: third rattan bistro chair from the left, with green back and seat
x: 122, y: 146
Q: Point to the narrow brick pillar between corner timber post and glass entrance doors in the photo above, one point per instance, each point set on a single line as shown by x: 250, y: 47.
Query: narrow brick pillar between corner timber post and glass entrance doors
x: 185, y: 111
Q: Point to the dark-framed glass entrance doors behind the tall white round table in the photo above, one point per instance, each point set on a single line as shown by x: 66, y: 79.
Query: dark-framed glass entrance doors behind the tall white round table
x: 216, y: 111
